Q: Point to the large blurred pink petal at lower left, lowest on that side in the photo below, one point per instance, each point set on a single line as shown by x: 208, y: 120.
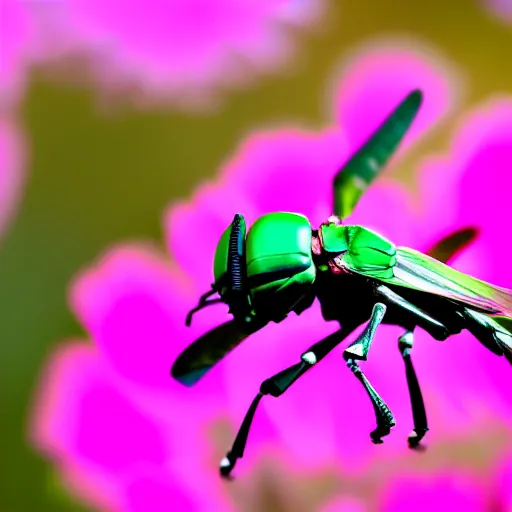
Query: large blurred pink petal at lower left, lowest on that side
x: 89, y: 423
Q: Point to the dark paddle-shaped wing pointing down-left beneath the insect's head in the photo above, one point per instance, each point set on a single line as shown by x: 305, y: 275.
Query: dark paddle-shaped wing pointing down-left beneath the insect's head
x: 199, y: 357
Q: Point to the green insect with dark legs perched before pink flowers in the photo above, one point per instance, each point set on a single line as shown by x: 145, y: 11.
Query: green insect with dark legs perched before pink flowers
x: 283, y: 264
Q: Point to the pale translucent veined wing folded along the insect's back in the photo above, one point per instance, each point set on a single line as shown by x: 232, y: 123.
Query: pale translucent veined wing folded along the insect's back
x: 418, y: 271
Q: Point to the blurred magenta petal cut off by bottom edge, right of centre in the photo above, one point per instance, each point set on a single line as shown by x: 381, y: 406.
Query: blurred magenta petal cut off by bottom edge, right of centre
x: 442, y: 492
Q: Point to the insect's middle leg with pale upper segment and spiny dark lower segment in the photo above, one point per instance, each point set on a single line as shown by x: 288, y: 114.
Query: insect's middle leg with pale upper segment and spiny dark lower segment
x: 359, y: 351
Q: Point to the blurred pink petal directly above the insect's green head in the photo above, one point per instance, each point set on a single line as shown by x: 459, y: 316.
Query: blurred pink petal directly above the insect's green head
x: 288, y: 170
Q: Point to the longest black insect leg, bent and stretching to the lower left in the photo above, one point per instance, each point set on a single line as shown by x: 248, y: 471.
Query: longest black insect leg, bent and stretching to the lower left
x: 275, y: 386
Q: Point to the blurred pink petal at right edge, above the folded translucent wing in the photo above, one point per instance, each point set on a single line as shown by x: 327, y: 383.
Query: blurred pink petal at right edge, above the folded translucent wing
x: 462, y: 184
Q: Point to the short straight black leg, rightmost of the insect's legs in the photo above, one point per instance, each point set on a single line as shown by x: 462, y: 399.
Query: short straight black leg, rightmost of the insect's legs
x: 405, y: 343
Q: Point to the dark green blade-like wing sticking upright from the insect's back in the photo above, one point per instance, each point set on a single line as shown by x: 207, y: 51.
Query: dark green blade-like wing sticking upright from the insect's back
x: 364, y: 166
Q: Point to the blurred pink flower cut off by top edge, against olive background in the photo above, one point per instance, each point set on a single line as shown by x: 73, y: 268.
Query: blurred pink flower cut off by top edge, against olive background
x: 177, y: 49
